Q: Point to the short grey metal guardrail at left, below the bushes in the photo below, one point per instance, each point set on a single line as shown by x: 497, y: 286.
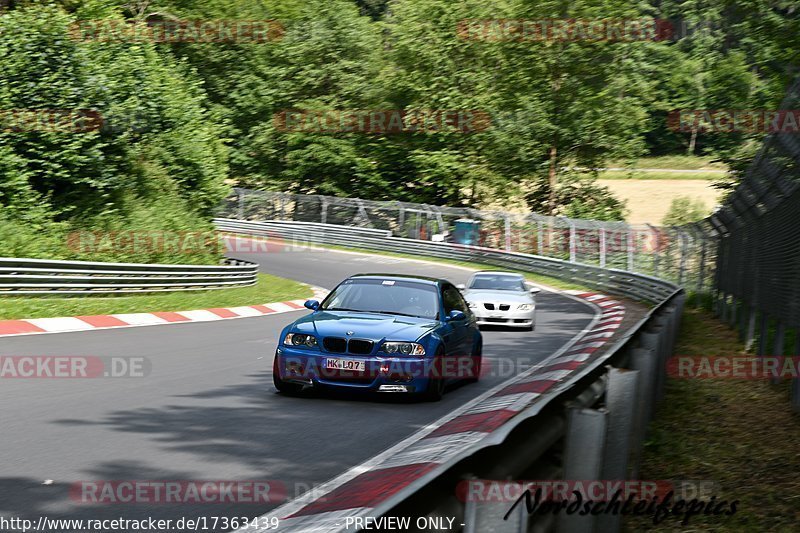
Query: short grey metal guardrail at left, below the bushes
x: 37, y: 276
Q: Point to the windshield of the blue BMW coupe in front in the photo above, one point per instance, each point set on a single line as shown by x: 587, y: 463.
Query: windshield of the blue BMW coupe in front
x: 394, y: 297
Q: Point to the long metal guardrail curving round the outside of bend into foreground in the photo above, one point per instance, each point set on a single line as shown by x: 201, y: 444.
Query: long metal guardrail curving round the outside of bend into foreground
x: 591, y: 426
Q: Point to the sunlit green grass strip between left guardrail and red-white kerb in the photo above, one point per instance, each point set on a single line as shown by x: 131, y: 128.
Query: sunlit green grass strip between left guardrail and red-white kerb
x: 268, y: 289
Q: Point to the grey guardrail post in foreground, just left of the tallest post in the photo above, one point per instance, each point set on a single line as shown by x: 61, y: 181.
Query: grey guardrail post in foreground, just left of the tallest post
x: 583, y: 458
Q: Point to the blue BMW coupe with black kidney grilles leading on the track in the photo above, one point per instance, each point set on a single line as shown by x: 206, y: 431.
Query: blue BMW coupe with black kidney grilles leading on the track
x: 382, y: 333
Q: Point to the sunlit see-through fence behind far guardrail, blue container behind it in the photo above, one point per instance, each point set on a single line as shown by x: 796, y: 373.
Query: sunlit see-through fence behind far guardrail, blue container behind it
x: 683, y: 255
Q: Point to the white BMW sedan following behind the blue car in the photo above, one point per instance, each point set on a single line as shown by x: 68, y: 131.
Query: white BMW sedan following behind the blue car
x: 501, y: 299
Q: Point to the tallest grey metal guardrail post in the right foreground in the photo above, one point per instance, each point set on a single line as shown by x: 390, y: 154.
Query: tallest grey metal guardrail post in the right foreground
x: 621, y: 402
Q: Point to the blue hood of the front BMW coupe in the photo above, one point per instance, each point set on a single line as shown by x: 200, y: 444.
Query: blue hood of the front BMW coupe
x: 372, y: 326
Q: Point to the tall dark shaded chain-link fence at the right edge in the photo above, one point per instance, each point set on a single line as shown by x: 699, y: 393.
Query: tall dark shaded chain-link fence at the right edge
x: 758, y: 268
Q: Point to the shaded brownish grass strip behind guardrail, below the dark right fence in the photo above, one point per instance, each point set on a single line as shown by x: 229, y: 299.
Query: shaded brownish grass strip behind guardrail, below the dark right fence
x: 740, y: 434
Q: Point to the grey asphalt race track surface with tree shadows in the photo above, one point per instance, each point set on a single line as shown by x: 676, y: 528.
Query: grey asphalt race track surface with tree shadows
x: 208, y: 410
